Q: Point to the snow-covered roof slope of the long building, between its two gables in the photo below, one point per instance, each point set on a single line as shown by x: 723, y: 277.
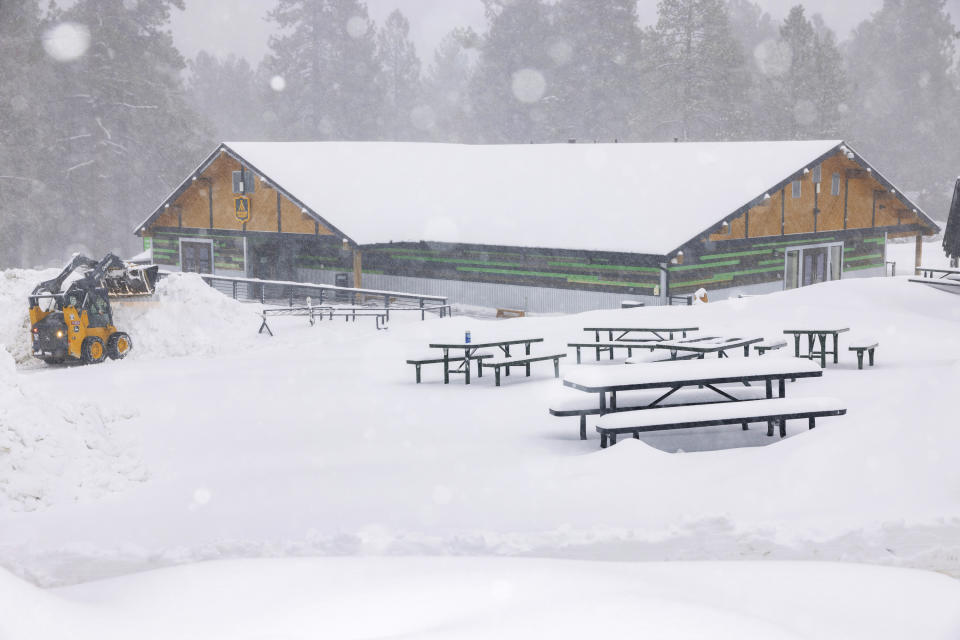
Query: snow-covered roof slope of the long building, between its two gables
x: 636, y: 198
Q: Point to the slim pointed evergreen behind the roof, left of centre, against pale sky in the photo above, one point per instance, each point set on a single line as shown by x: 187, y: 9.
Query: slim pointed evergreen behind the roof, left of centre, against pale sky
x: 399, y: 80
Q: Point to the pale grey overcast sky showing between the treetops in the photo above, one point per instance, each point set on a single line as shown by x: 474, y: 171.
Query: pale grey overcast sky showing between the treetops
x: 238, y: 26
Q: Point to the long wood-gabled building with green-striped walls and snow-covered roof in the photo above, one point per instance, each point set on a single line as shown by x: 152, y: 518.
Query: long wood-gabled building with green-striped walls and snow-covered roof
x: 544, y: 227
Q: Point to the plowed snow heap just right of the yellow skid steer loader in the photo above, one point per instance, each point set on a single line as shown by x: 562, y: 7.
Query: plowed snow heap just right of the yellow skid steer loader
x: 188, y: 317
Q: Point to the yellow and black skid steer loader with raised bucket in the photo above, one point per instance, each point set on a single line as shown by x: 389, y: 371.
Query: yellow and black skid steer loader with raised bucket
x: 77, y: 324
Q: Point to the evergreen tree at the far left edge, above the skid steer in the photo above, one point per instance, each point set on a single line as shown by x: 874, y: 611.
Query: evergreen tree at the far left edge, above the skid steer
x: 29, y: 208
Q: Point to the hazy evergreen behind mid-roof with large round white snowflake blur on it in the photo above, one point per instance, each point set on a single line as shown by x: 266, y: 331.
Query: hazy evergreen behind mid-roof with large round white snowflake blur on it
x: 512, y: 92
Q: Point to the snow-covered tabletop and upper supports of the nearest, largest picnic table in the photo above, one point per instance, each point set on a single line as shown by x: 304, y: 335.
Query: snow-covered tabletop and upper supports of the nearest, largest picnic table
x: 674, y: 376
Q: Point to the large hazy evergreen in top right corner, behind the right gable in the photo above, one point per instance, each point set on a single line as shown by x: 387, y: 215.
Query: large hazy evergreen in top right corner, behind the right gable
x: 903, y: 101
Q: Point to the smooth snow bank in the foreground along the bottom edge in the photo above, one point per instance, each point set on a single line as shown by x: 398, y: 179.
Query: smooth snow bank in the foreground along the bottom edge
x: 492, y: 598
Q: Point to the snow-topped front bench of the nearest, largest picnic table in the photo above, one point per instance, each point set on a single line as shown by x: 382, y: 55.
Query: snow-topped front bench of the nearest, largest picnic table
x: 769, y: 410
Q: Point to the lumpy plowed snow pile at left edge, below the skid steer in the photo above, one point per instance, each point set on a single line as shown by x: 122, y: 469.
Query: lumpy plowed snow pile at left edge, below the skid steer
x: 54, y: 452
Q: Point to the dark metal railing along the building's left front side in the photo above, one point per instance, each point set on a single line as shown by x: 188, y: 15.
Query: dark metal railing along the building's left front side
x: 291, y: 293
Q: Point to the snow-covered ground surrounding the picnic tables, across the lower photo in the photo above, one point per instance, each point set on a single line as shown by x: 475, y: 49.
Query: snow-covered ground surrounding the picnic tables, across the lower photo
x: 317, y: 442
